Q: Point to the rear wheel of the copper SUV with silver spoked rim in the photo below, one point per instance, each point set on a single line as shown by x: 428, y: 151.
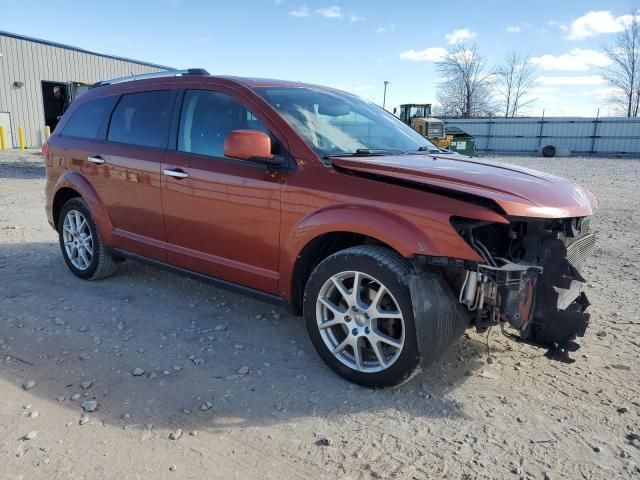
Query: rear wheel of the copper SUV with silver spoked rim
x: 100, y: 263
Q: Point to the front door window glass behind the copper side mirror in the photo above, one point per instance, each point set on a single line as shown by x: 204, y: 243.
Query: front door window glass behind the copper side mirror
x: 207, y: 118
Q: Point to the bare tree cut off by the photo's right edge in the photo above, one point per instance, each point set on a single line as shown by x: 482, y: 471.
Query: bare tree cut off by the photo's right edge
x: 624, y: 72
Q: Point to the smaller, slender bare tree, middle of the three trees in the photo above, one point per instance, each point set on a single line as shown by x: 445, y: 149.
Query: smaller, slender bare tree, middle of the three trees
x: 514, y: 81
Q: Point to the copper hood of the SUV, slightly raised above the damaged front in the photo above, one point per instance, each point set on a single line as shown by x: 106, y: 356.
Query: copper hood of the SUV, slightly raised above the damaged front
x: 519, y: 191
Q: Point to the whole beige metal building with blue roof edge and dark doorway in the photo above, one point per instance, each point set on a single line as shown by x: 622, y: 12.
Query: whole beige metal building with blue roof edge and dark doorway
x: 38, y: 79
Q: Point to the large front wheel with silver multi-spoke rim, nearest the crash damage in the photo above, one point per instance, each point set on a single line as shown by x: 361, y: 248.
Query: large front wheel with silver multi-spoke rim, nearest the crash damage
x: 377, y: 267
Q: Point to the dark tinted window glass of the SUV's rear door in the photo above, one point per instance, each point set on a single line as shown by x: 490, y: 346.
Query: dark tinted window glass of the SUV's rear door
x: 142, y: 119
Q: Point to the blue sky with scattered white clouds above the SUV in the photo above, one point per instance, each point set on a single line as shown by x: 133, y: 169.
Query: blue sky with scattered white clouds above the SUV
x: 354, y: 45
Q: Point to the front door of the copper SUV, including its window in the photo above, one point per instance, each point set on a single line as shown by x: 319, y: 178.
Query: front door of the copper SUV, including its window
x: 222, y: 216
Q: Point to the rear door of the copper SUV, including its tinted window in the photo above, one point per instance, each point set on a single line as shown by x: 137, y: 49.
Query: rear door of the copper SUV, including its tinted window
x: 126, y: 170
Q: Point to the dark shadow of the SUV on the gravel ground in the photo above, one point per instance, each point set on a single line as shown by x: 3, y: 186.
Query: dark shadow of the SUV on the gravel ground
x: 73, y: 331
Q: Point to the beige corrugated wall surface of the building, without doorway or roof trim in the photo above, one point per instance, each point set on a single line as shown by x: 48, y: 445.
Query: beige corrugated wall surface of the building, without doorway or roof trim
x: 31, y: 62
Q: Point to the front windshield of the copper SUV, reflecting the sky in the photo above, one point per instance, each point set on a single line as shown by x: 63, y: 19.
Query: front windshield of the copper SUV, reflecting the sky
x: 334, y: 123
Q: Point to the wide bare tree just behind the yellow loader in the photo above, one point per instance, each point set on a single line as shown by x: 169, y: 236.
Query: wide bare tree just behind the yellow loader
x: 466, y: 88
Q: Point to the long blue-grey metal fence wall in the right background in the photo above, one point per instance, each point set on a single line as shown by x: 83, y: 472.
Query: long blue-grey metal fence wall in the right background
x: 595, y: 136
